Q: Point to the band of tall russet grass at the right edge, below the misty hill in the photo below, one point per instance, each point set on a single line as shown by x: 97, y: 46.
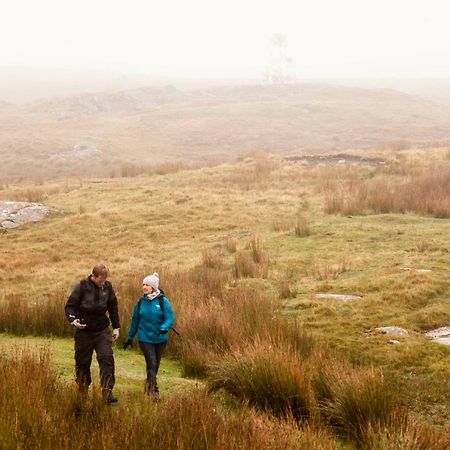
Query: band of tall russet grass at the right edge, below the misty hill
x: 427, y: 192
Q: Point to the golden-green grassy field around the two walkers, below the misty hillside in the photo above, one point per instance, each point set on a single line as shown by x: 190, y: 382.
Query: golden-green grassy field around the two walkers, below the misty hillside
x: 243, y: 249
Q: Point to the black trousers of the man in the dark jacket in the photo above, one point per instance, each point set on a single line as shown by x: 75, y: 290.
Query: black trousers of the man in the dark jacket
x: 85, y: 344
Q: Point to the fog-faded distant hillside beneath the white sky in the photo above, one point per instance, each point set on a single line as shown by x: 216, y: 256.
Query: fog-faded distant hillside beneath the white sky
x: 86, y: 132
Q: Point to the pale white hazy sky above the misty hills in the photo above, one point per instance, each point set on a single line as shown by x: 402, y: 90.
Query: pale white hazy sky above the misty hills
x: 229, y: 38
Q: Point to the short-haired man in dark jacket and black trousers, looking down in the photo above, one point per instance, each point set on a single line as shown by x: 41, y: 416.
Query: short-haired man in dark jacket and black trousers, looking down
x: 86, y: 310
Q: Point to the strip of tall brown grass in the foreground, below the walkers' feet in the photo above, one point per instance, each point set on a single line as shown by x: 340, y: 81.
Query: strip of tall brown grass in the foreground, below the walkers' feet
x: 38, y: 411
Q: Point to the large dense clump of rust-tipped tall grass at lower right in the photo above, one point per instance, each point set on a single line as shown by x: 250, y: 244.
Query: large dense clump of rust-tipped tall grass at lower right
x: 318, y: 389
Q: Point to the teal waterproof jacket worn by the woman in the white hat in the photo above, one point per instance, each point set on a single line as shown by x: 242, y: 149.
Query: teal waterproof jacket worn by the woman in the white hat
x: 149, y: 320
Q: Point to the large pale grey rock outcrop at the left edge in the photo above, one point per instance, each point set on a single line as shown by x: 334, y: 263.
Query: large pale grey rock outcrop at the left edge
x: 14, y: 214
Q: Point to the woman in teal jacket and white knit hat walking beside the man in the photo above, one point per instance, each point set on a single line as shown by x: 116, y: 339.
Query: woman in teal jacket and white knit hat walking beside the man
x: 153, y: 317
